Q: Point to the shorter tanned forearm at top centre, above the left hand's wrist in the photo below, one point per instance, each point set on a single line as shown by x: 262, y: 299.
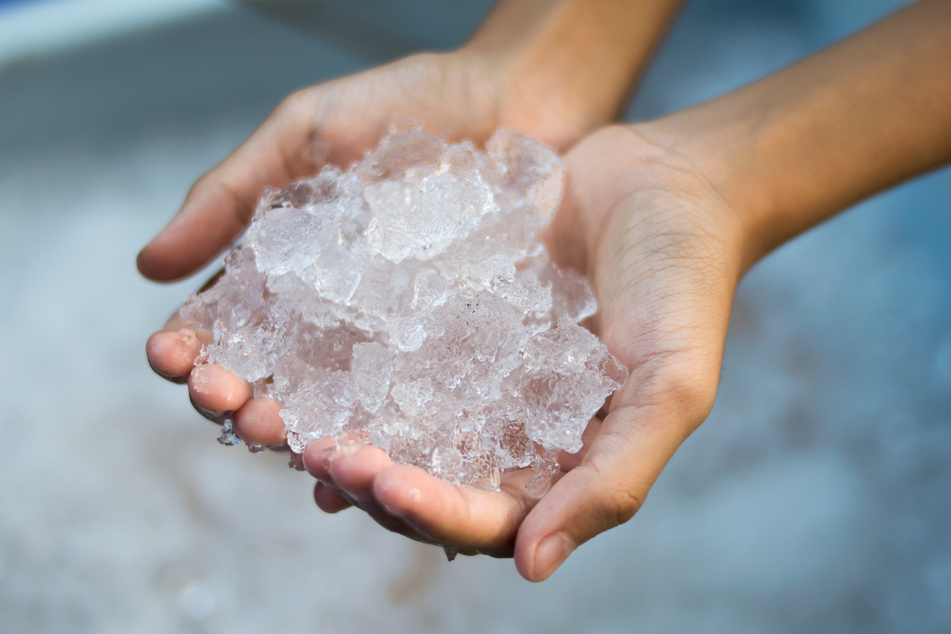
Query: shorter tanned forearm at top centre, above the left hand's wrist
x: 574, y: 61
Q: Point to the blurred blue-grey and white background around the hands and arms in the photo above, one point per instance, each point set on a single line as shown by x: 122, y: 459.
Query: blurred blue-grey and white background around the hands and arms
x: 815, y: 498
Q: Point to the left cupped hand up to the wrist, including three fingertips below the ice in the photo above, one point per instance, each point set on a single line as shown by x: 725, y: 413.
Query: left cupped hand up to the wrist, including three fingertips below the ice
x: 463, y: 94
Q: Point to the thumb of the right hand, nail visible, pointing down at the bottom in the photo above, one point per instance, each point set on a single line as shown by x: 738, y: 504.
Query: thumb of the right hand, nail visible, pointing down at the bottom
x: 605, y: 490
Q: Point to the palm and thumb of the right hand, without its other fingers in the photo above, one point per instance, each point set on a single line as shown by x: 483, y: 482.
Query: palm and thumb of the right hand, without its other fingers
x: 661, y: 250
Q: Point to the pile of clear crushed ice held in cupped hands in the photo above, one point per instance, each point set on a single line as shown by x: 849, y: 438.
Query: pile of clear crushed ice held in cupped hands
x: 409, y: 299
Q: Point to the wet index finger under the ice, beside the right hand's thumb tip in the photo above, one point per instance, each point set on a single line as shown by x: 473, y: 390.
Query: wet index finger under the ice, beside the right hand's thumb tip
x: 458, y: 515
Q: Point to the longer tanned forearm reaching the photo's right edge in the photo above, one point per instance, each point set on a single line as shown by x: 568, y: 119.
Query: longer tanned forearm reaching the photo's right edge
x: 791, y: 150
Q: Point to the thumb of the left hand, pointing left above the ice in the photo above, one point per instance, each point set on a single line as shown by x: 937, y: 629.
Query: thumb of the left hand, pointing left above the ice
x: 221, y: 202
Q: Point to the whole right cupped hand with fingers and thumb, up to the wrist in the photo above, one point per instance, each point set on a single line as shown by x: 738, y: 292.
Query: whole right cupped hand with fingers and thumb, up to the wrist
x: 662, y: 250
